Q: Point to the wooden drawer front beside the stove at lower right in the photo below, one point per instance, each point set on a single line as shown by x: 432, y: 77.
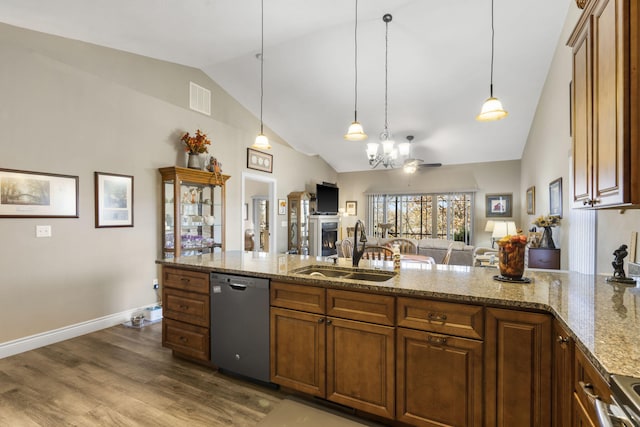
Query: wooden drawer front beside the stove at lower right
x: 589, y: 383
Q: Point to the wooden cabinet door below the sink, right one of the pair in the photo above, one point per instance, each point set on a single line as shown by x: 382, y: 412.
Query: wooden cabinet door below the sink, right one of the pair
x: 360, y: 365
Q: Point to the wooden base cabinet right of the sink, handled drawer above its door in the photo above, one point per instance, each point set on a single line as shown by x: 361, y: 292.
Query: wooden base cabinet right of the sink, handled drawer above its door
x: 439, y: 363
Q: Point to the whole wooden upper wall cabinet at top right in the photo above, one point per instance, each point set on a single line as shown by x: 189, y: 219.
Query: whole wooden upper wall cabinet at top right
x: 605, y: 105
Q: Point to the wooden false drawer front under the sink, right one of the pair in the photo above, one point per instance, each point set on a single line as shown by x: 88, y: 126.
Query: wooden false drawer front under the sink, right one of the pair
x: 365, y: 307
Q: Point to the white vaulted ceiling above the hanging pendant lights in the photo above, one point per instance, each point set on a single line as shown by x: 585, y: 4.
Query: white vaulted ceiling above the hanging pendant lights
x: 438, y: 64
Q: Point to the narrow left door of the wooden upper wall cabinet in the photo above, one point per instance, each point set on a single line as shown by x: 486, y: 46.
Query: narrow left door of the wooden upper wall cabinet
x: 582, y: 119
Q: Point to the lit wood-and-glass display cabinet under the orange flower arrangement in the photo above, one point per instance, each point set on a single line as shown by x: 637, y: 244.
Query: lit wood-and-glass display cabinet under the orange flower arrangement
x: 193, y: 211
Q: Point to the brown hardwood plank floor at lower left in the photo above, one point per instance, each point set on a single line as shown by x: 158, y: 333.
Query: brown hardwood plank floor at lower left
x: 123, y: 377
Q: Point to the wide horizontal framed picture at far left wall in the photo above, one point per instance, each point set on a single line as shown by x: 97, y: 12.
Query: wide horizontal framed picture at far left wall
x: 25, y: 194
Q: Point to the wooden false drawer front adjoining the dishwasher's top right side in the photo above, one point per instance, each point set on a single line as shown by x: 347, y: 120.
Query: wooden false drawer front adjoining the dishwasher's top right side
x: 298, y: 297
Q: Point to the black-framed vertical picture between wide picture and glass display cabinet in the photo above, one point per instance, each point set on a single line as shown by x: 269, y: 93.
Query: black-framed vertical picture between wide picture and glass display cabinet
x: 114, y: 200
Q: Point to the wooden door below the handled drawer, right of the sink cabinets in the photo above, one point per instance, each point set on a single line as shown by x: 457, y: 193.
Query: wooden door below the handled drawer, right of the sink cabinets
x: 439, y: 379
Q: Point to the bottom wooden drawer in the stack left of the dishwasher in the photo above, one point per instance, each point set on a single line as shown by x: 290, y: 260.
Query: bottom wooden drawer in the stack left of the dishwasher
x: 186, y: 339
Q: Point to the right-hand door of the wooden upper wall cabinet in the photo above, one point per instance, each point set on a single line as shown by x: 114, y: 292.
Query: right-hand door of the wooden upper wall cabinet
x: 610, y: 138
